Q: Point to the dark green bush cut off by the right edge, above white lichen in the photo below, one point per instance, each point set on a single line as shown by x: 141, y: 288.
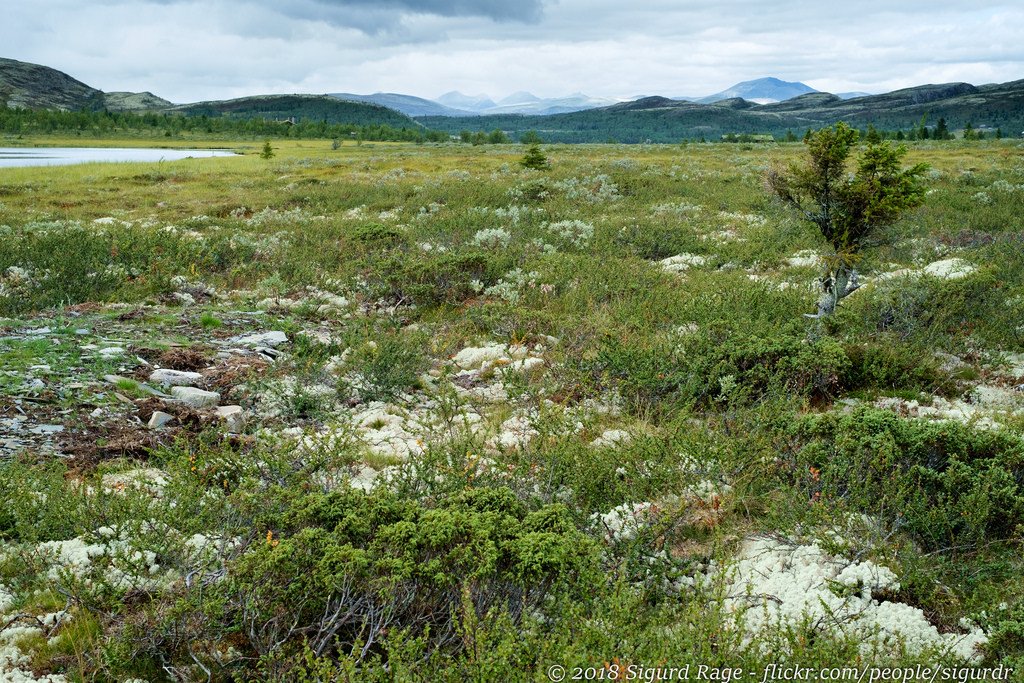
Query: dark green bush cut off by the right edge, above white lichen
x: 950, y: 486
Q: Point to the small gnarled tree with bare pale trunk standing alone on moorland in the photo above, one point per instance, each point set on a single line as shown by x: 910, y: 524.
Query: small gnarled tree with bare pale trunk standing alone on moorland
x: 850, y: 210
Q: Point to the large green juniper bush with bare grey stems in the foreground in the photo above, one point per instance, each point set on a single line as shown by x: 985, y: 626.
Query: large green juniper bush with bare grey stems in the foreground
x: 349, y: 568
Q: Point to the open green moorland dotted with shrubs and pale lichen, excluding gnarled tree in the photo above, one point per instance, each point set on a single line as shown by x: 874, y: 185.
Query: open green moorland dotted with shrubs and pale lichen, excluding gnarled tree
x: 396, y: 412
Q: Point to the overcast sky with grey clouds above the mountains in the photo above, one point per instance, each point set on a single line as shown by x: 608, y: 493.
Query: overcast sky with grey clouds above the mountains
x: 212, y: 50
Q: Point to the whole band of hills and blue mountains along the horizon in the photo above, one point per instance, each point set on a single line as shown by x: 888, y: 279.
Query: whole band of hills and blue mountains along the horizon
x: 762, y: 106
